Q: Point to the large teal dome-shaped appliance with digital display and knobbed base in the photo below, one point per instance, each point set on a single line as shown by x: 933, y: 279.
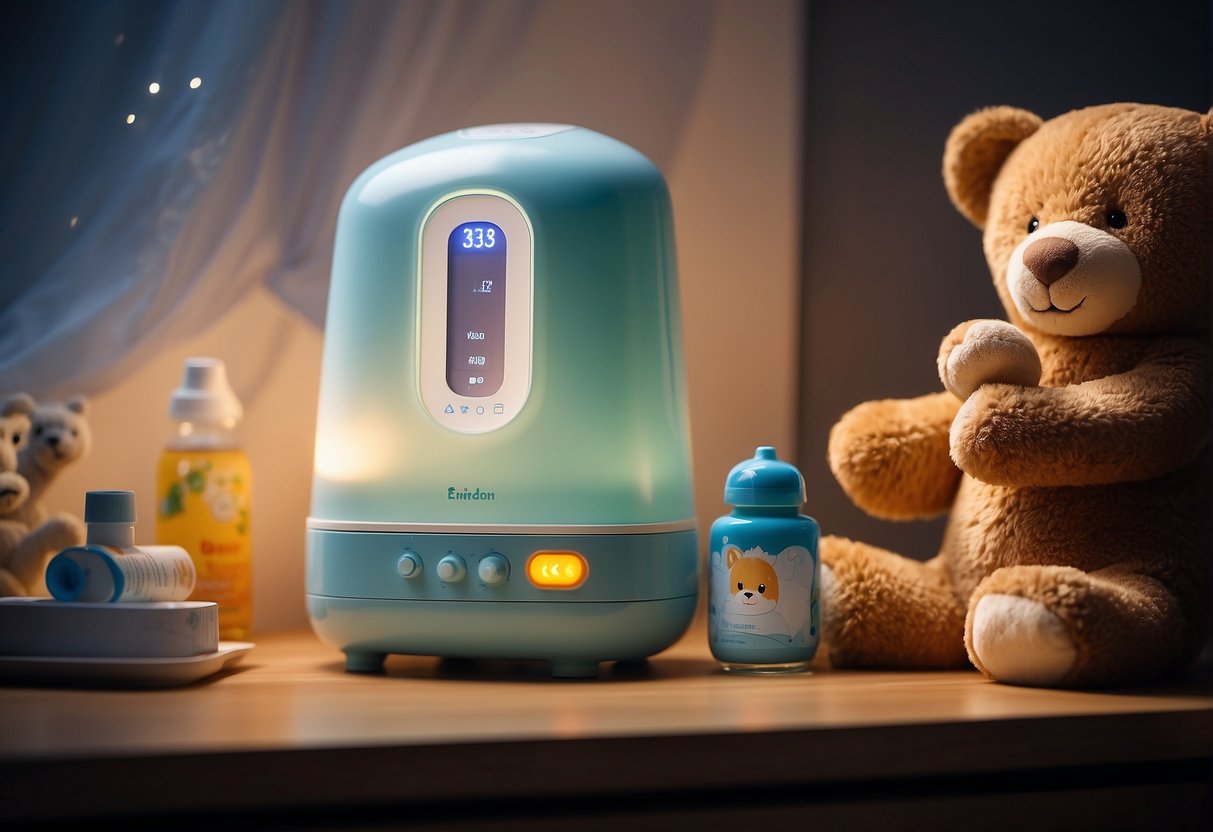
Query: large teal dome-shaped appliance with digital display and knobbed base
x: 503, y: 463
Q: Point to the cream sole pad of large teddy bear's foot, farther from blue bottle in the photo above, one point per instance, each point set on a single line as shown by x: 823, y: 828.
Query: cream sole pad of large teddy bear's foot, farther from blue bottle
x: 1020, y: 641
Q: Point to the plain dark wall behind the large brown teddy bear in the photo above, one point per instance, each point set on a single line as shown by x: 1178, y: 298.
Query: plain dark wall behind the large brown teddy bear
x: 890, y: 266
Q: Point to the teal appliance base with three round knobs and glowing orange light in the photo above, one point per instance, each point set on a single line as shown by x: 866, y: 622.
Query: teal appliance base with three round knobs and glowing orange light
x: 572, y: 596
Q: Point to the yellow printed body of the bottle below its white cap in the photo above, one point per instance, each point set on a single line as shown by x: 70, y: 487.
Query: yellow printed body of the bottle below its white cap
x: 203, y: 505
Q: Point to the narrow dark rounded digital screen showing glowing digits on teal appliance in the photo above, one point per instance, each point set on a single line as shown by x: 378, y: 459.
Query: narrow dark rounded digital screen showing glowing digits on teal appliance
x: 476, y: 309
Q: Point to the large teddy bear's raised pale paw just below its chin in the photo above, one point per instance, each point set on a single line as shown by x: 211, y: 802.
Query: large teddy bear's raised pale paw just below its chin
x: 988, y: 352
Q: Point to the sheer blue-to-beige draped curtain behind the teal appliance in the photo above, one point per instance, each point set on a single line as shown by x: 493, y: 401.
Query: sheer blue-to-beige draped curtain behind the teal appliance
x: 162, y: 158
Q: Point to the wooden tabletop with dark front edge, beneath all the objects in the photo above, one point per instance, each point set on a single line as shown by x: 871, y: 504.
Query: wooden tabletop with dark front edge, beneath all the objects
x: 288, y: 728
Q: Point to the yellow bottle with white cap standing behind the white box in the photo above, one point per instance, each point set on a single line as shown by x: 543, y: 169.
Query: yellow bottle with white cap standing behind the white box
x: 204, y: 489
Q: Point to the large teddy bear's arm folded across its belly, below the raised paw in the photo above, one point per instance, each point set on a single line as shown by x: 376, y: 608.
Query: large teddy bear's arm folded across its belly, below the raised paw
x: 1124, y: 428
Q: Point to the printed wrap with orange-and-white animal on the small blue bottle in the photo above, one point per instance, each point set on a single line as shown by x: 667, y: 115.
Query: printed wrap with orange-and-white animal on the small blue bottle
x: 762, y: 602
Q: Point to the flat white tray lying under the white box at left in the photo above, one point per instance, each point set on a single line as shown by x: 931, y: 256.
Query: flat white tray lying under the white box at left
x: 158, y: 673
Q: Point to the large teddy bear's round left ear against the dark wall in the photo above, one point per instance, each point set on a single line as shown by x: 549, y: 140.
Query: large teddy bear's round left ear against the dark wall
x: 976, y: 152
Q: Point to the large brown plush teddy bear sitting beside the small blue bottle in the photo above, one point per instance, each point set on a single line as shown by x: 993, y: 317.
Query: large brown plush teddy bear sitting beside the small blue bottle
x: 1070, y: 447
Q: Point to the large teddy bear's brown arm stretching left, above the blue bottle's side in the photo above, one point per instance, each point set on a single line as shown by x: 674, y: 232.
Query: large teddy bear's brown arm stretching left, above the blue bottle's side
x: 892, y: 457
